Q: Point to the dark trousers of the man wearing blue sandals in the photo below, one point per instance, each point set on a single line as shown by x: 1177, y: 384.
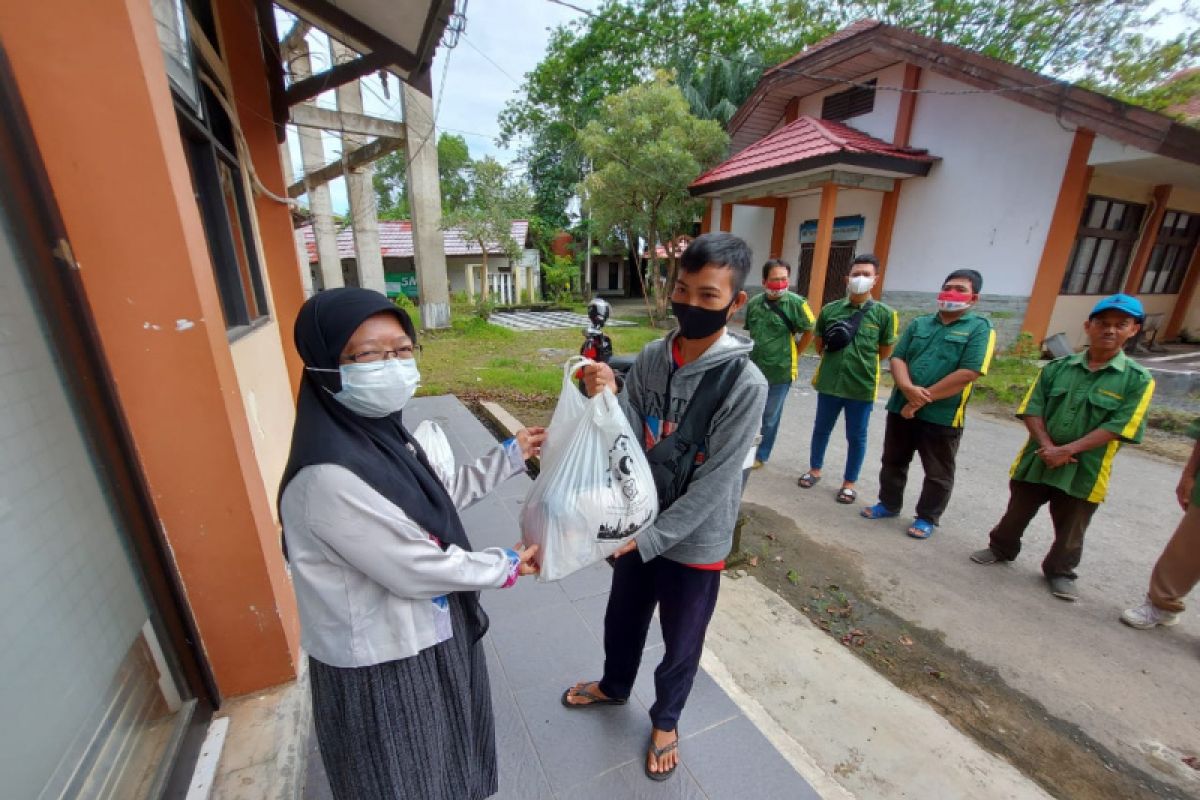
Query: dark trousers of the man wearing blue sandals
x: 938, y: 447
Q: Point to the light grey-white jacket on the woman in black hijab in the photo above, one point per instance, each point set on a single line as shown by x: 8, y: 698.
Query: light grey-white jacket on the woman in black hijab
x: 370, y: 584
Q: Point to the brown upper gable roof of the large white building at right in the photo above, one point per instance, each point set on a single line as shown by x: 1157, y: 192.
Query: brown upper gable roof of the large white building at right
x: 869, y: 46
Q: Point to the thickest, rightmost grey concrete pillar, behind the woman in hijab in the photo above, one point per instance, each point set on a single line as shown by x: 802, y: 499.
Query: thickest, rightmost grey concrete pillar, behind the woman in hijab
x: 425, y: 207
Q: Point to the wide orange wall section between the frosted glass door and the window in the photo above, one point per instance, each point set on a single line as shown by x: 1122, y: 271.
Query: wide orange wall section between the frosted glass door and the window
x: 104, y: 121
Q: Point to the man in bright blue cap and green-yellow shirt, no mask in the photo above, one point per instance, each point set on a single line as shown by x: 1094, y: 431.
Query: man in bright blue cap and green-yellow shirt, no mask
x: 1079, y: 411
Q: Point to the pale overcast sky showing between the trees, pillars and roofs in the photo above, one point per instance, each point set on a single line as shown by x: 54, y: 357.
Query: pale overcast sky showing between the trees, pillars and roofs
x: 503, y: 41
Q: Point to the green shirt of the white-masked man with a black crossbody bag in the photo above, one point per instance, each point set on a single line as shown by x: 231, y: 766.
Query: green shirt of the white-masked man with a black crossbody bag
x: 854, y: 372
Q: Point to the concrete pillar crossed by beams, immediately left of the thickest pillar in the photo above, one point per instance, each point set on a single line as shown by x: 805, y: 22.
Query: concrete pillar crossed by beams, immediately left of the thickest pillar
x: 364, y: 207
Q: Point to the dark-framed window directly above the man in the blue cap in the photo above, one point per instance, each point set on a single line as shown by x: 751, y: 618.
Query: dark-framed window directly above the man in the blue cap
x: 1119, y: 254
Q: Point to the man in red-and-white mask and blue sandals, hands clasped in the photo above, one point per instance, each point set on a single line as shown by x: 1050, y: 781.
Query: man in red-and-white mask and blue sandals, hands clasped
x: 934, y: 368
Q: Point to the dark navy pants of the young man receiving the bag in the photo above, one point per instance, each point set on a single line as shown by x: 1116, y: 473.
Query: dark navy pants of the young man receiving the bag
x: 686, y: 598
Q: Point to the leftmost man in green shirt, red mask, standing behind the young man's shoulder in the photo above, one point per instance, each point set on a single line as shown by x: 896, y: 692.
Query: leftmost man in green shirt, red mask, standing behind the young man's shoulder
x: 781, y: 323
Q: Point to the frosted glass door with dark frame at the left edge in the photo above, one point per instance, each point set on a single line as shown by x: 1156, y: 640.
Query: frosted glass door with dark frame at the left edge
x: 95, y: 690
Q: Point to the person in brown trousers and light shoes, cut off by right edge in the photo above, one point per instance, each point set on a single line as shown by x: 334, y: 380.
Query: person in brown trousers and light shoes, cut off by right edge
x: 1178, y: 570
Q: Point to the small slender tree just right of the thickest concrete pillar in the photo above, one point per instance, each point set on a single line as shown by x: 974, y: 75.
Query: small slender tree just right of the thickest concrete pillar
x: 490, y: 204
